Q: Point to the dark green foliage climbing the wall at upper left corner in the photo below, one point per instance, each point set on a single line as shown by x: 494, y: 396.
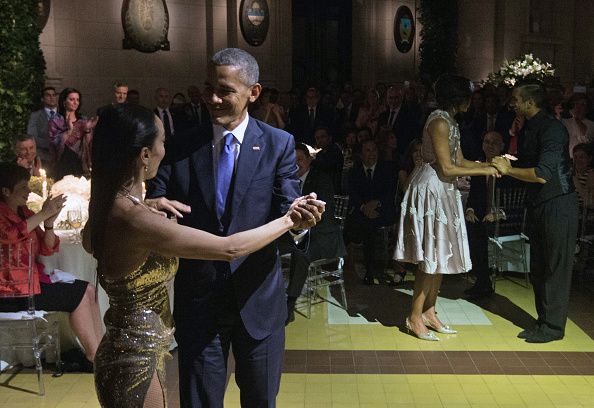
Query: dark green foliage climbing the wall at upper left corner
x: 22, y: 69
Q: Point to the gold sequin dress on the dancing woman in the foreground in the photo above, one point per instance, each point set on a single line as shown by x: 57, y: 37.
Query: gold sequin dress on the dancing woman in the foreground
x: 139, y: 330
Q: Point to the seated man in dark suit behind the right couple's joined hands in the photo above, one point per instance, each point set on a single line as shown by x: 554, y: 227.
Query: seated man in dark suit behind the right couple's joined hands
x: 480, y: 217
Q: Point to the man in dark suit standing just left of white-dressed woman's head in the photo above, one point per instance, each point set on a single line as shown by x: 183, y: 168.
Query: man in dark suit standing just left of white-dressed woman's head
x: 398, y: 118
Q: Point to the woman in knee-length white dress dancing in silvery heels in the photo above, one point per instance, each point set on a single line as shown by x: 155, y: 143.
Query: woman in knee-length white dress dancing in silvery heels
x: 432, y: 232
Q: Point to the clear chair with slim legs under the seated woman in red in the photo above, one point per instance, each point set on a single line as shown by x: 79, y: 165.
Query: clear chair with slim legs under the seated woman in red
x: 17, y: 281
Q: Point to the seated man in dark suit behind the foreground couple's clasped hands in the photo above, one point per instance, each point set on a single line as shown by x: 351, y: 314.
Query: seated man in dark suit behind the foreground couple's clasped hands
x: 325, y: 239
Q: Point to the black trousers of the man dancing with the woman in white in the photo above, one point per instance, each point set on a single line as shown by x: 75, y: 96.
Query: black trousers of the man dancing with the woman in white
x: 553, y: 233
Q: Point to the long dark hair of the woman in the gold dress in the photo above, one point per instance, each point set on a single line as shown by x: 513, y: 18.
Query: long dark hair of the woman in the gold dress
x: 121, y: 133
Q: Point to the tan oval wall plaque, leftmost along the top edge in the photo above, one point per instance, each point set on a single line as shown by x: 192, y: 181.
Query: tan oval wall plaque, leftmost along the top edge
x: 146, y: 24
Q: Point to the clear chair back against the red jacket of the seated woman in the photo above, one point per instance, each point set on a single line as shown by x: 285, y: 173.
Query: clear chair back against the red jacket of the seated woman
x: 16, y: 271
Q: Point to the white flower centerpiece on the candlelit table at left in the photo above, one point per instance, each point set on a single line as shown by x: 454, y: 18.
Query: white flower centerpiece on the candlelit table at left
x: 78, y: 193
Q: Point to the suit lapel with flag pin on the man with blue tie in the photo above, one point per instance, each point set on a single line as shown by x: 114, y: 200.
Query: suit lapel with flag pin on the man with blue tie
x: 251, y: 152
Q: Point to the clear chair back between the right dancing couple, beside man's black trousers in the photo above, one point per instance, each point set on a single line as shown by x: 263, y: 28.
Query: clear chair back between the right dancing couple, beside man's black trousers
x: 511, y: 202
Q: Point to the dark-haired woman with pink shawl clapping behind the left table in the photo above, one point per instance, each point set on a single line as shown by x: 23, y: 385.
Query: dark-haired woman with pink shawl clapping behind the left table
x: 71, y: 135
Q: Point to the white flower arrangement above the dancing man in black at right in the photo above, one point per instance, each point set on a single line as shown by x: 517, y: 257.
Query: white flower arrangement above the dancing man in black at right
x: 527, y: 67
